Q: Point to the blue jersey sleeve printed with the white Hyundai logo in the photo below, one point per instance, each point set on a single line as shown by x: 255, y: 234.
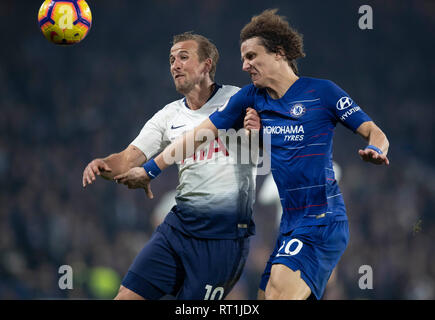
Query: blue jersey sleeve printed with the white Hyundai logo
x: 343, y: 108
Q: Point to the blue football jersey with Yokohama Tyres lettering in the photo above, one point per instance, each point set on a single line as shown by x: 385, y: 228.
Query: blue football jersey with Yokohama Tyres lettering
x: 301, y: 128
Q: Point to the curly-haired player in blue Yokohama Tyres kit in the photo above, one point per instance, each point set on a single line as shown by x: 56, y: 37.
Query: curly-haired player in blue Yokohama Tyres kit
x: 299, y: 114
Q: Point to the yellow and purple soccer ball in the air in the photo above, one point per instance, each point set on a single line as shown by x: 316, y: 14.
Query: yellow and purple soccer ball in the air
x: 65, y: 22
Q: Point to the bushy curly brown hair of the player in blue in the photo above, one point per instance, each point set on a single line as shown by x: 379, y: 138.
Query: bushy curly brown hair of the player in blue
x: 275, y: 35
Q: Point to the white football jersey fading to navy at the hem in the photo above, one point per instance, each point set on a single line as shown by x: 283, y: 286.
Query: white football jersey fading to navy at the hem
x: 216, y: 193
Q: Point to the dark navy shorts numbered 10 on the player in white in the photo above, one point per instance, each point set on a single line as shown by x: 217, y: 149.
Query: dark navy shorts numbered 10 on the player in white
x: 188, y: 268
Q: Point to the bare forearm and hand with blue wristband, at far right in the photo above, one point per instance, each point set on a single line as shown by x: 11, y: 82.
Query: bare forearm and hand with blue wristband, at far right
x: 377, y: 148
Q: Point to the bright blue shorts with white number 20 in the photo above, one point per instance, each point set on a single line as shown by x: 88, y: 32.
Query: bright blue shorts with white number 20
x: 314, y: 250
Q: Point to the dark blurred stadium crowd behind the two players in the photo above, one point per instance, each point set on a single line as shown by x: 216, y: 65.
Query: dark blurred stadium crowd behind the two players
x: 61, y: 107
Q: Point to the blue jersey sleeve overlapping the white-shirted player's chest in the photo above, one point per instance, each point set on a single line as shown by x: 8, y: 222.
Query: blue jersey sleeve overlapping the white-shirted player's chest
x: 228, y: 115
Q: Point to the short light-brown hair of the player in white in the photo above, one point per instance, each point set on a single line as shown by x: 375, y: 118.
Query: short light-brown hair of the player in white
x: 206, y: 49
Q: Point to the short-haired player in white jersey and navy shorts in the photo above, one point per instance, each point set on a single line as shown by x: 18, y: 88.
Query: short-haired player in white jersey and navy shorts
x: 200, y: 249
